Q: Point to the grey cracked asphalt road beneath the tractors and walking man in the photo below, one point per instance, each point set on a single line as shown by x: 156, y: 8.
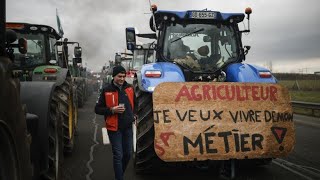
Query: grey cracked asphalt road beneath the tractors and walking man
x: 92, y: 160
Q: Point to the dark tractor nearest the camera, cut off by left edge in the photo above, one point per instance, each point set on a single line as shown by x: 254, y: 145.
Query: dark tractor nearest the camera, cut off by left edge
x: 31, y: 143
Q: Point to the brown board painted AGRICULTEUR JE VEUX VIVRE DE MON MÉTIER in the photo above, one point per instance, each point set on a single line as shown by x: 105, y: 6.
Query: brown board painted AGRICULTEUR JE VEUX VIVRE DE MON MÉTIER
x: 219, y: 121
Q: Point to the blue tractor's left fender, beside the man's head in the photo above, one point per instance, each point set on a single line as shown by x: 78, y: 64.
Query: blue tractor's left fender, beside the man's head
x: 170, y: 72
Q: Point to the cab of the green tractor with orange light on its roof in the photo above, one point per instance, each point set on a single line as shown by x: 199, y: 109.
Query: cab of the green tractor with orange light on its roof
x: 42, y: 57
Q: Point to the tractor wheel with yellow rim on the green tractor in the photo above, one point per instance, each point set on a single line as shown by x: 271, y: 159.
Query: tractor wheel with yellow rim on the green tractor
x: 65, y: 99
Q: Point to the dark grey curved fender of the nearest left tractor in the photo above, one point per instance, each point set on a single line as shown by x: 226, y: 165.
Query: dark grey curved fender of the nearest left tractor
x: 37, y: 96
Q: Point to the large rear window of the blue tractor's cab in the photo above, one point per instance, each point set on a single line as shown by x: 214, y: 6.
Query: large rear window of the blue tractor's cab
x: 200, y: 47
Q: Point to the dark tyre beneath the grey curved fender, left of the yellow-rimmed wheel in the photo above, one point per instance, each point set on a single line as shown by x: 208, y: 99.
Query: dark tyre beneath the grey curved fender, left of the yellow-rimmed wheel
x: 55, y: 139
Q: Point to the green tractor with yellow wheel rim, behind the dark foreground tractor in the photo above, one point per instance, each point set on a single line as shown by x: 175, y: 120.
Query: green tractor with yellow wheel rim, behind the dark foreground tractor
x: 41, y: 64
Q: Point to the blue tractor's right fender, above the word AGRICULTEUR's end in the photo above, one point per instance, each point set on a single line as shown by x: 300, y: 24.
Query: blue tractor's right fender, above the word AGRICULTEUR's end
x: 242, y: 72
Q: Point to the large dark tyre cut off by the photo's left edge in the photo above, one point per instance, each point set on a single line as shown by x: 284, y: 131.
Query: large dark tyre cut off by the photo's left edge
x: 15, y: 141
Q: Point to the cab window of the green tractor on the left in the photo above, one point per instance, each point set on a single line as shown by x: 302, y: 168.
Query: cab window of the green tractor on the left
x: 36, y: 51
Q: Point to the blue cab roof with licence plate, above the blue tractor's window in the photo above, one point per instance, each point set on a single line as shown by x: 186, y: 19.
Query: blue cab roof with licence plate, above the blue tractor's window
x: 217, y: 16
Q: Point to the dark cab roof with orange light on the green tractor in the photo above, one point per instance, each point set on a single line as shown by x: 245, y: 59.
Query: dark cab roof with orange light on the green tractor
x: 32, y: 28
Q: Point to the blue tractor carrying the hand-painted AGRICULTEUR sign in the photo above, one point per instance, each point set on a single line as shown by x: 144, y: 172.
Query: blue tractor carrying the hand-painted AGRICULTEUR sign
x: 191, y: 46
